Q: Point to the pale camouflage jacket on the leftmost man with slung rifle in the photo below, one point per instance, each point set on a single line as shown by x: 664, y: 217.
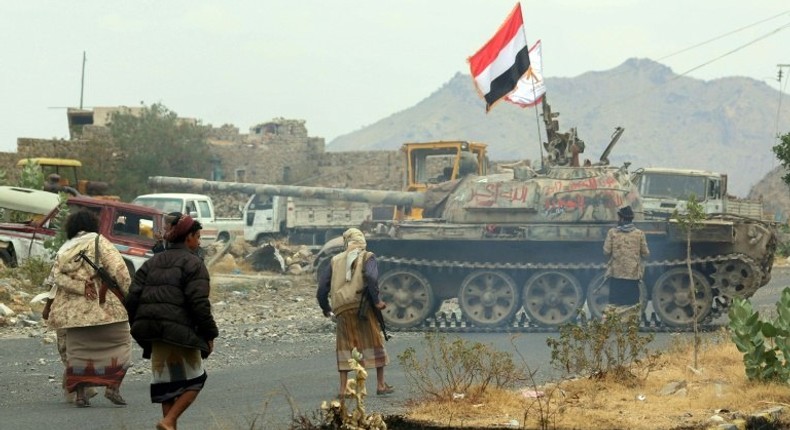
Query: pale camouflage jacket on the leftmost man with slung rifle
x: 69, y: 275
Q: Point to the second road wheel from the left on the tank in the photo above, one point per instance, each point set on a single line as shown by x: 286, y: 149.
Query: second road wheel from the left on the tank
x: 488, y: 299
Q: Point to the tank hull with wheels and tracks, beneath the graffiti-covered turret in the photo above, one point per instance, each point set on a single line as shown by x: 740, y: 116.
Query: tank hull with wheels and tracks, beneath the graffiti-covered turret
x: 552, y: 272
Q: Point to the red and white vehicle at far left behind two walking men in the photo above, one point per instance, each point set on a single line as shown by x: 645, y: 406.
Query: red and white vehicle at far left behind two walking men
x: 130, y: 227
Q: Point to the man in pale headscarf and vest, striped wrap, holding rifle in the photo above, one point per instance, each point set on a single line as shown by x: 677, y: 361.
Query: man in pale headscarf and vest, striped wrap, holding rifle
x: 348, y: 292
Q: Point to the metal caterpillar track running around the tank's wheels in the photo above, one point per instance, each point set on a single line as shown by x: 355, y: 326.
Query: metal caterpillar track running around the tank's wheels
x: 452, y: 323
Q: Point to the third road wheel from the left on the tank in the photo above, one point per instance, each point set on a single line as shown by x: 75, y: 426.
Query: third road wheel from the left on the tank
x: 552, y: 298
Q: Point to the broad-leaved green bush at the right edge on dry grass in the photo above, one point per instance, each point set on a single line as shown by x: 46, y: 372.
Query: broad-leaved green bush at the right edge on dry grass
x: 765, y: 344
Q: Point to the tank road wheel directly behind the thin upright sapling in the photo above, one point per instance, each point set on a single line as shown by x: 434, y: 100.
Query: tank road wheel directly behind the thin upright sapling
x: 672, y: 297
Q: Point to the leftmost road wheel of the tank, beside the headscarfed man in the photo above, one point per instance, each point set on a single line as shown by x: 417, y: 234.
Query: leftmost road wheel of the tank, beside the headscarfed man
x: 409, y: 298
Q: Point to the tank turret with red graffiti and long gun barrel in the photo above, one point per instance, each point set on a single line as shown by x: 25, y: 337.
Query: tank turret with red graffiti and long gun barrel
x: 564, y: 194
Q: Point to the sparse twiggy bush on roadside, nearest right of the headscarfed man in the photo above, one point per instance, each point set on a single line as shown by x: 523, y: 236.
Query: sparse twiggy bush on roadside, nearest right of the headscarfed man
x: 458, y: 367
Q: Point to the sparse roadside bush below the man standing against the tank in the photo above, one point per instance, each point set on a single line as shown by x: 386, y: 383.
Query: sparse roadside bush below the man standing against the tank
x: 601, y: 348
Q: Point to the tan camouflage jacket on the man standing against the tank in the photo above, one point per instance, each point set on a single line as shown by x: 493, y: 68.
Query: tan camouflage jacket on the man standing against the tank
x: 625, y: 246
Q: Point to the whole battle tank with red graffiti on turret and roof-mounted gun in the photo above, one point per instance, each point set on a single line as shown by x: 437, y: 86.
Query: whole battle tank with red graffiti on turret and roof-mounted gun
x: 527, y: 244
